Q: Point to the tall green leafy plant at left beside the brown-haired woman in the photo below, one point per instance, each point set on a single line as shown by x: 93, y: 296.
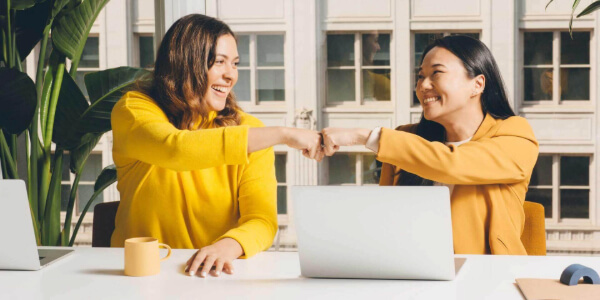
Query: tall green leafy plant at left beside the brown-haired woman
x: 53, y: 109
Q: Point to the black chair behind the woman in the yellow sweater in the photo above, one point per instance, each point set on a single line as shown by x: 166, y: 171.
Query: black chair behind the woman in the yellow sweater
x: 104, y: 223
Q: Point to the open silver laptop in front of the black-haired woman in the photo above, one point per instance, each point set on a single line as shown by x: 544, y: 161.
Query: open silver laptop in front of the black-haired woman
x: 376, y: 232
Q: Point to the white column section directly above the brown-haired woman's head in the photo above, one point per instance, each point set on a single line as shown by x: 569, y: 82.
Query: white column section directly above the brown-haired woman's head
x: 166, y: 12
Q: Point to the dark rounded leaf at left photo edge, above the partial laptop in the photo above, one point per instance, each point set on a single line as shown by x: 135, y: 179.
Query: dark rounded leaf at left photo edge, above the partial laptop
x: 17, y: 100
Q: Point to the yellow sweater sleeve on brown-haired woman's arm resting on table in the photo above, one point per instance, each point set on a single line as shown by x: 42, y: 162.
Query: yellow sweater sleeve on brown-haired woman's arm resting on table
x: 257, y: 225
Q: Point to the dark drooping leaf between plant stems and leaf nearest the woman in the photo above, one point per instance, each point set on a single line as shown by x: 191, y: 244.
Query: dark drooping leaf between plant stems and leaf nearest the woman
x: 71, y: 105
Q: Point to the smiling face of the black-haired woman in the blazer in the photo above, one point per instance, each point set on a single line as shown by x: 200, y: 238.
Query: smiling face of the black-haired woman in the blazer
x: 444, y: 88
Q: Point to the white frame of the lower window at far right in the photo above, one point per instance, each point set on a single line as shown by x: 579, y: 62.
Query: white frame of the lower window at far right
x: 556, y: 188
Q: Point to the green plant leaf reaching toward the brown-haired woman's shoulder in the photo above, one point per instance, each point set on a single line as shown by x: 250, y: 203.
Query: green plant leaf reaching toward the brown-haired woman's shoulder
x: 105, y: 89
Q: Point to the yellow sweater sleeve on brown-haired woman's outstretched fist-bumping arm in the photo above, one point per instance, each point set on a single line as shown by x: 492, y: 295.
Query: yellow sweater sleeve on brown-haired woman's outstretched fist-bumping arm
x: 141, y: 131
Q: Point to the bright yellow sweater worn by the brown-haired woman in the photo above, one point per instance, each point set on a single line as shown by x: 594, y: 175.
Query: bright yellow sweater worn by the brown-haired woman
x: 190, y: 189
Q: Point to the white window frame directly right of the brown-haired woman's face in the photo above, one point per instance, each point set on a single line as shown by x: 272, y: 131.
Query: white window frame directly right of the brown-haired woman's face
x: 254, y: 104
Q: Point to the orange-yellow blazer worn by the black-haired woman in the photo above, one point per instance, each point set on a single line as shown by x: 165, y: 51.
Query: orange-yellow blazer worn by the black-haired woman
x: 491, y: 174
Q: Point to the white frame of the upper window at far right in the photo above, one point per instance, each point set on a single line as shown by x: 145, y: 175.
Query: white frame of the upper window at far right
x: 556, y: 66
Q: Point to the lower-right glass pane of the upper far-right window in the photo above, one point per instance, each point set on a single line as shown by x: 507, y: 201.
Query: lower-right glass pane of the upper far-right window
x: 575, y: 83
